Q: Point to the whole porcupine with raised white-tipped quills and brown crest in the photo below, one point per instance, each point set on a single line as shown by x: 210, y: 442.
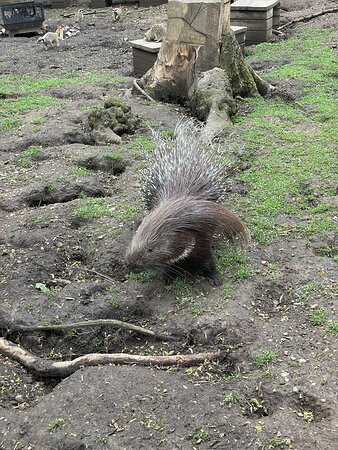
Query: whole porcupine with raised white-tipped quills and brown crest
x: 182, y: 187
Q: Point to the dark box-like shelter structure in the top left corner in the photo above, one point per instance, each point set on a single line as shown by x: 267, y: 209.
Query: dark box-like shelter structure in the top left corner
x: 20, y: 18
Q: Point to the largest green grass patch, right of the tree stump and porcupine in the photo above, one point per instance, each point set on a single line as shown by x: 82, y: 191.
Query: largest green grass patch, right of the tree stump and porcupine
x: 290, y: 144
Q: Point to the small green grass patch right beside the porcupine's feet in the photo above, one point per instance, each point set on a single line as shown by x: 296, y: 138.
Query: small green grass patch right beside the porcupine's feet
x: 236, y: 262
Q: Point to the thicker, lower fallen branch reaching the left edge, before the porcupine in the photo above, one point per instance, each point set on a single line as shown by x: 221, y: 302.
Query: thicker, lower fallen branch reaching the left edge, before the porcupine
x: 62, y: 369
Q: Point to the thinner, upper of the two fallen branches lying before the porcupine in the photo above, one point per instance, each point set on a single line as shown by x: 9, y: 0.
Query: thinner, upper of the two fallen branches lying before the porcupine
x: 91, y: 323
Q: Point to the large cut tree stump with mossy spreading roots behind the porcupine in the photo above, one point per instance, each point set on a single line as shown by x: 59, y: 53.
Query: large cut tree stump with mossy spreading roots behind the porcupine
x: 199, y: 40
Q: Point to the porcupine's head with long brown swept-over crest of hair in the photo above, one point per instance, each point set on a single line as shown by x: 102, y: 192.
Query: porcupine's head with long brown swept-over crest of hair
x: 178, y: 229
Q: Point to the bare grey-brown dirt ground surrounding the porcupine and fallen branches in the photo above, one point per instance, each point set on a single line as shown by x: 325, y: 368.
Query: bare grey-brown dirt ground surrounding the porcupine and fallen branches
x: 59, y: 265
